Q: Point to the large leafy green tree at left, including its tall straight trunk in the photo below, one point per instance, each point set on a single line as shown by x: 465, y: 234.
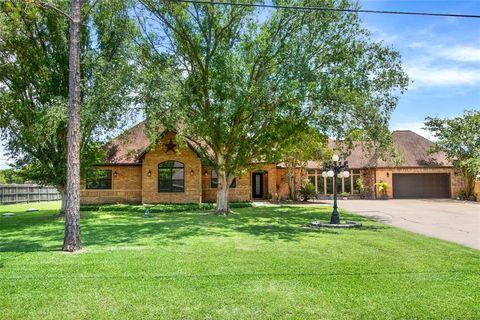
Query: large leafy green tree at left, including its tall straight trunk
x: 37, y: 82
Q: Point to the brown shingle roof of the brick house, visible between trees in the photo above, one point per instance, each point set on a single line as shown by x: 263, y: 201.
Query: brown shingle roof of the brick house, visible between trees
x: 131, y: 145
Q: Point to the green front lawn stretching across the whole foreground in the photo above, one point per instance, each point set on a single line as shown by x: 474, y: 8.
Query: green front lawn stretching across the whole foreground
x: 258, y: 263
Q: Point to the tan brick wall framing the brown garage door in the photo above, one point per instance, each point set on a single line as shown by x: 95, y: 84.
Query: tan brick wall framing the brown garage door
x: 386, y: 174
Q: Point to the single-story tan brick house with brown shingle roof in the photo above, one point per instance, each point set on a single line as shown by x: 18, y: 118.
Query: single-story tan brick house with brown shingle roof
x: 135, y: 172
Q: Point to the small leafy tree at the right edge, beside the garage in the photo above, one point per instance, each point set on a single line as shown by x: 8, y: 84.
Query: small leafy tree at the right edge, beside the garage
x: 459, y: 139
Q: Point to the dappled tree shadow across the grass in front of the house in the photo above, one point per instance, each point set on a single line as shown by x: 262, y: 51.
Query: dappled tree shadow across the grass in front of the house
x: 268, y: 223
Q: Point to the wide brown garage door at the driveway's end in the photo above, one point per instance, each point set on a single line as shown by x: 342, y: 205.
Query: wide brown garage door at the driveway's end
x: 421, y: 185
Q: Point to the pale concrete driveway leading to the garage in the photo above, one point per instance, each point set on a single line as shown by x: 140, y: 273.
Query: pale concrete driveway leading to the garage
x: 450, y: 220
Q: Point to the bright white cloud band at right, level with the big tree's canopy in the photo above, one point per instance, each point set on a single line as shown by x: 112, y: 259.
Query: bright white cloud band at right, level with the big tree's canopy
x: 430, y: 75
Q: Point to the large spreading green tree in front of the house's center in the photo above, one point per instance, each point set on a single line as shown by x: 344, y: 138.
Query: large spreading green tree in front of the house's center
x: 238, y: 85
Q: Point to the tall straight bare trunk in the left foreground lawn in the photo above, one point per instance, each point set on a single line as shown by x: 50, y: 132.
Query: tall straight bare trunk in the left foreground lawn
x: 72, y: 241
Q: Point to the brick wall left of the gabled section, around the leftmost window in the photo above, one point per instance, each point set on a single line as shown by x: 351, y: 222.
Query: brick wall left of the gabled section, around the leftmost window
x: 126, y: 187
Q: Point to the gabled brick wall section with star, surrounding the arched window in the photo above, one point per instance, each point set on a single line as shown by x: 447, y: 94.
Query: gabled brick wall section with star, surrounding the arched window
x: 193, y: 179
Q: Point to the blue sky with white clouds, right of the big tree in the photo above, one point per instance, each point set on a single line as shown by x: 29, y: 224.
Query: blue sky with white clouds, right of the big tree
x: 441, y: 56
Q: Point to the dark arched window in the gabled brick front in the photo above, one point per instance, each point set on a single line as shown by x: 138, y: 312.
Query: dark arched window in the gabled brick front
x: 171, y: 177
